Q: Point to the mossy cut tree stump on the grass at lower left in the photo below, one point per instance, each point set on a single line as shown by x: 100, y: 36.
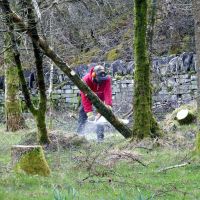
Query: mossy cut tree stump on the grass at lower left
x: 29, y: 159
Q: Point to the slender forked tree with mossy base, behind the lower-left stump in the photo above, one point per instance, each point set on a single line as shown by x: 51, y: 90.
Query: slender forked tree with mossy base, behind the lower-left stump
x: 38, y: 113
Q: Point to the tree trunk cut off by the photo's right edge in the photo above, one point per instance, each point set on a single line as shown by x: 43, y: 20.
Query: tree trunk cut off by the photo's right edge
x: 196, y: 11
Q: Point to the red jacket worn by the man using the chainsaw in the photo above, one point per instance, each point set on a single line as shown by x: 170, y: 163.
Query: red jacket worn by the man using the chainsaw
x: 102, y: 90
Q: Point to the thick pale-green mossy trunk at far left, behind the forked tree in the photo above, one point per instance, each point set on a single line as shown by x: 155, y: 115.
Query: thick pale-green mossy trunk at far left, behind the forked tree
x: 14, y: 119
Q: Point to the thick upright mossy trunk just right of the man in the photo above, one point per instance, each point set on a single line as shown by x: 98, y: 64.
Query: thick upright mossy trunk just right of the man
x: 144, y: 122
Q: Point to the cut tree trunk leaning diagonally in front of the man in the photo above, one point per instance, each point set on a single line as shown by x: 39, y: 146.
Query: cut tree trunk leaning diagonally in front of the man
x: 103, y: 110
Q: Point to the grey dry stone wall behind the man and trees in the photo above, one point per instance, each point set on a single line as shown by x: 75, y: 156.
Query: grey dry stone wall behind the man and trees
x: 174, y: 83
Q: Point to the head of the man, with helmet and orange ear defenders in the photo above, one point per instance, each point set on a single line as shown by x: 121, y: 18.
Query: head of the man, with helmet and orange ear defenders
x: 99, y: 74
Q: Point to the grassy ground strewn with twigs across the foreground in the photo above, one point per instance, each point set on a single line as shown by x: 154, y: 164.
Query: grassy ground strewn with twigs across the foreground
x: 115, y: 169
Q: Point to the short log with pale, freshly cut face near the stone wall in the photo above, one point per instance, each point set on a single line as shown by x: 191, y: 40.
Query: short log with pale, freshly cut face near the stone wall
x: 184, y: 116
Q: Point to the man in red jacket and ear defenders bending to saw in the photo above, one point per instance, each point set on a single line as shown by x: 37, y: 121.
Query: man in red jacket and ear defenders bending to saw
x: 100, y: 83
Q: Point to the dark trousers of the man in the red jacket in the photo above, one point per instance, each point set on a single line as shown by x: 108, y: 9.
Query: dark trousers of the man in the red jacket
x: 82, y: 121
